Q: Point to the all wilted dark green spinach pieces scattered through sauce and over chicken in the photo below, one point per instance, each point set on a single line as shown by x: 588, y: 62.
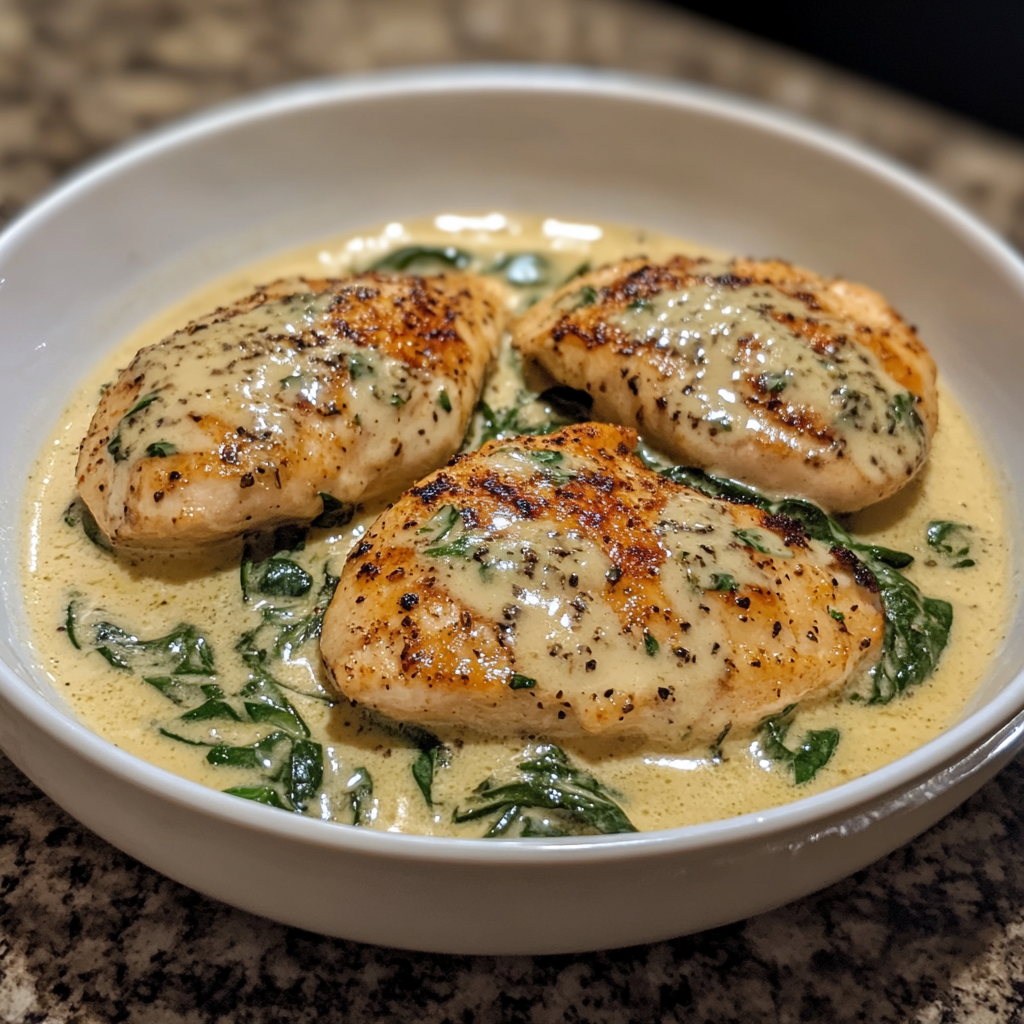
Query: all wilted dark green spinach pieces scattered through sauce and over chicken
x: 547, y: 796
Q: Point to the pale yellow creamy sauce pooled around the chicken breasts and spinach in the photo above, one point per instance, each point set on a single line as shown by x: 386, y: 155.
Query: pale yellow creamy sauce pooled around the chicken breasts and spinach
x: 150, y: 596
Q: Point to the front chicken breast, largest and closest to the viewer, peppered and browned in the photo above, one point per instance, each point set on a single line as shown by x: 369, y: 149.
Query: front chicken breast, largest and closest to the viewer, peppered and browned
x: 554, y: 586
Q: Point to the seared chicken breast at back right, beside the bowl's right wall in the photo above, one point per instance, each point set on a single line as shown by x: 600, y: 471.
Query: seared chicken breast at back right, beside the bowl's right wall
x: 759, y: 371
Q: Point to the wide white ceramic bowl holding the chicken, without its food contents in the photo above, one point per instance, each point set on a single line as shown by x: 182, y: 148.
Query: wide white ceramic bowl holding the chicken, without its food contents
x: 149, y: 224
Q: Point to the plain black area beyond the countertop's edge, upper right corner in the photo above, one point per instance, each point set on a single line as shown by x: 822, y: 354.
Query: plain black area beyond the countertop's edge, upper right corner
x: 968, y: 57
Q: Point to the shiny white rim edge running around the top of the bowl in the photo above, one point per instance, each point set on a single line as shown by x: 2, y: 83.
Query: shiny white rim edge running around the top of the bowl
x: 929, y: 761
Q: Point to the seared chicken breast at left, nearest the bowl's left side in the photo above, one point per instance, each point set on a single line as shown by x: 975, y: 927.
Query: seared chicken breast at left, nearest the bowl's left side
x: 307, y: 396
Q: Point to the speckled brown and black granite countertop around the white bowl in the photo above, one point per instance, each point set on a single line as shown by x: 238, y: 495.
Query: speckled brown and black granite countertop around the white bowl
x: 933, y: 933
